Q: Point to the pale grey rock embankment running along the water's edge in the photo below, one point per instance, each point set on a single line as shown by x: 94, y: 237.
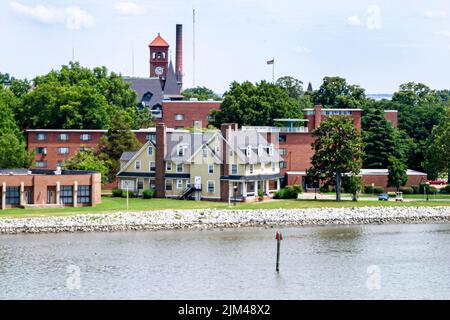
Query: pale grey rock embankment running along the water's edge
x: 212, y: 218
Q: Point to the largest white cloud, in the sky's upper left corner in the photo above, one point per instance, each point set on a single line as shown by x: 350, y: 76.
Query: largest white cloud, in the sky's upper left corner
x: 73, y: 17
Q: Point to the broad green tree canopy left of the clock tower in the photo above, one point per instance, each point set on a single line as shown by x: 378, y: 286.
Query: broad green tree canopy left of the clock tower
x: 78, y: 97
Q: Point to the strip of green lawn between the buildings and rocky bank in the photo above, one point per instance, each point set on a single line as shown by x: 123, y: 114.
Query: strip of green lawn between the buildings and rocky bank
x: 110, y: 204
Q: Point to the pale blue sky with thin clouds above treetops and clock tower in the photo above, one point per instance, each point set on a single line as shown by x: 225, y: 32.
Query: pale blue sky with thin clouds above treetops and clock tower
x: 375, y: 44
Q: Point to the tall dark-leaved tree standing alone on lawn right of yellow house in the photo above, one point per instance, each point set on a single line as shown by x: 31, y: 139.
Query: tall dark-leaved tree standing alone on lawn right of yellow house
x: 338, y: 150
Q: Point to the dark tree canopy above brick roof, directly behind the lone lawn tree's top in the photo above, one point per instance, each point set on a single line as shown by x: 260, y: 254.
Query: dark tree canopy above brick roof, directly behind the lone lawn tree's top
x: 335, y: 92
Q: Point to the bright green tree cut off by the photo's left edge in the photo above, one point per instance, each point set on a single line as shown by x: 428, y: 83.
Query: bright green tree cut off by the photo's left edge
x: 13, y: 152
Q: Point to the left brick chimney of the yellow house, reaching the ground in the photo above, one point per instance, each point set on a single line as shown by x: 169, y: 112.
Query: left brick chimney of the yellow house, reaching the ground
x: 160, y: 156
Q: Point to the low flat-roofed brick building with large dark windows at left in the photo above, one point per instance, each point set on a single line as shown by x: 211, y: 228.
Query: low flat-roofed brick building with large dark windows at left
x: 47, y: 188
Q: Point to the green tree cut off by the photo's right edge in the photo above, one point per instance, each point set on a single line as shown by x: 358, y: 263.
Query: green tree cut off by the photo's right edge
x: 438, y: 152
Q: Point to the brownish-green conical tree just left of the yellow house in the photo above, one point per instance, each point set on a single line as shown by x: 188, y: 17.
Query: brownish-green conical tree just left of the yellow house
x: 118, y: 139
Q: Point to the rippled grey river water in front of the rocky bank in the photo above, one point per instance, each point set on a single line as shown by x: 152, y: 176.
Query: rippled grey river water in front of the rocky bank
x: 332, y: 262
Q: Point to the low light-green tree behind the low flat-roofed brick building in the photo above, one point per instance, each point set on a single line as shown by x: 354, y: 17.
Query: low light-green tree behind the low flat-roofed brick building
x: 87, y: 160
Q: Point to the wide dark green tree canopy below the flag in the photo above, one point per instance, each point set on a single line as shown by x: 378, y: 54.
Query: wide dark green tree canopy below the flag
x: 255, y: 104
